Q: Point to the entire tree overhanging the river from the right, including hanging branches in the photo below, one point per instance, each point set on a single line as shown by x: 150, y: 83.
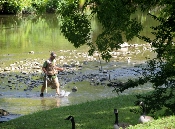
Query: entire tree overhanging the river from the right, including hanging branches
x: 118, y: 26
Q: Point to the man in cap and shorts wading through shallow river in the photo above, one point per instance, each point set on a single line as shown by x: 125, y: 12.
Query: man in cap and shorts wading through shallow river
x: 50, y: 69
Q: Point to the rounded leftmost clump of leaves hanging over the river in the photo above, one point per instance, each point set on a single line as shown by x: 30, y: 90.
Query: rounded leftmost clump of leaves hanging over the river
x: 75, y: 25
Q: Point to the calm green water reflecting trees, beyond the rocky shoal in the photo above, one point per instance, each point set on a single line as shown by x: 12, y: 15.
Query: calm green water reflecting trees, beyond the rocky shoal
x: 42, y: 33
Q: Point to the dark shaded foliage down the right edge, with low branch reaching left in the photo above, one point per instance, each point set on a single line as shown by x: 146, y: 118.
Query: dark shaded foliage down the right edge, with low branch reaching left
x: 160, y: 71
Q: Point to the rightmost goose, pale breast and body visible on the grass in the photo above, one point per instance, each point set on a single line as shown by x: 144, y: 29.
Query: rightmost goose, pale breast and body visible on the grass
x: 143, y: 118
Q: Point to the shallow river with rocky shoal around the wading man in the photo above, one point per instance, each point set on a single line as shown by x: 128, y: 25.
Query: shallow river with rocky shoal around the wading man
x: 26, y: 41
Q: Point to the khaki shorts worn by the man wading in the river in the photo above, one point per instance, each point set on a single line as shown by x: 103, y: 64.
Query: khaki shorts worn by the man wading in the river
x: 53, y: 83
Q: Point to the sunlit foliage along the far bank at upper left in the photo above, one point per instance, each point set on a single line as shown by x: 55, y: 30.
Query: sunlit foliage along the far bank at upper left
x: 29, y: 6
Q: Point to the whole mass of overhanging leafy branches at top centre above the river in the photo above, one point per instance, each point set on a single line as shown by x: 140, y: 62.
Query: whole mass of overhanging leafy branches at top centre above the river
x: 113, y: 15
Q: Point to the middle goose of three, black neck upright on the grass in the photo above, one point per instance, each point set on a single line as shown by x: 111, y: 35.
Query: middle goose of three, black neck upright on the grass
x: 116, y: 124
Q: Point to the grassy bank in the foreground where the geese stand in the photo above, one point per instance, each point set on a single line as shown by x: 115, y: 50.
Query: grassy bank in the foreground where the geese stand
x: 90, y: 115
